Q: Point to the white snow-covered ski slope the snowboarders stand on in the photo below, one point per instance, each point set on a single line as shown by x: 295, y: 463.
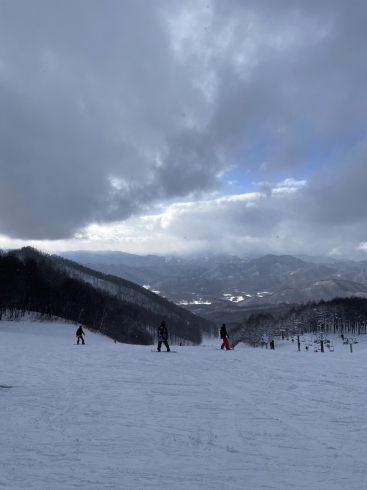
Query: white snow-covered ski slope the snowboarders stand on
x: 114, y: 416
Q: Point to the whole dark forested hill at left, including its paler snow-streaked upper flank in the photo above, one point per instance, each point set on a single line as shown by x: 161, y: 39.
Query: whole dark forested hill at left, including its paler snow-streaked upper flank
x: 34, y: 281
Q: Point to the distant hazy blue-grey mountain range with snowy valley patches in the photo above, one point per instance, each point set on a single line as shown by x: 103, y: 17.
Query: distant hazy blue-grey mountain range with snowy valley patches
x: 231, y: 285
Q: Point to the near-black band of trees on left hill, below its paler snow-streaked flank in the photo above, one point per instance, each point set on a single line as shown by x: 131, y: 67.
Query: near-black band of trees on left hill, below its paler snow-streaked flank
x: 31, y: 281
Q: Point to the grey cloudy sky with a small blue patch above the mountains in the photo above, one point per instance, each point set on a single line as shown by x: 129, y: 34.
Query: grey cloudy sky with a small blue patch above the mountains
x: 176, y: 127
